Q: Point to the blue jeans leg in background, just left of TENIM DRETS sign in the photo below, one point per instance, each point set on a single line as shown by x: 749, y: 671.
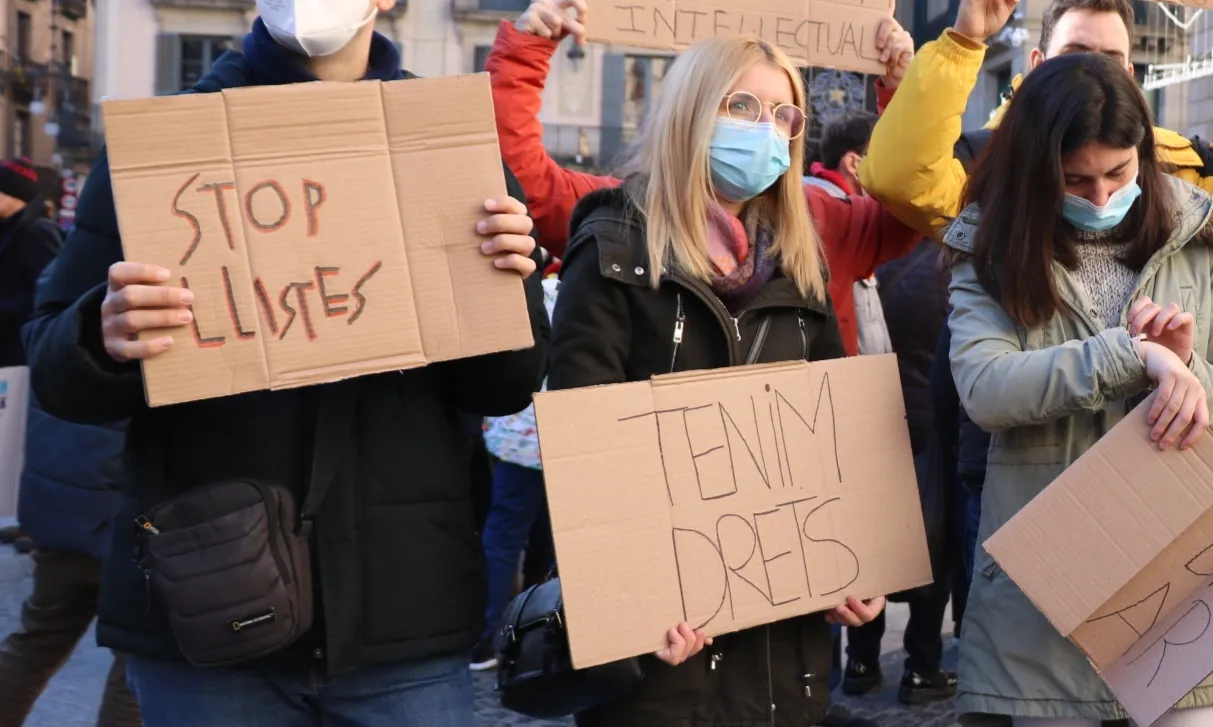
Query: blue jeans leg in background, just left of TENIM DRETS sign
x: 519, y: 506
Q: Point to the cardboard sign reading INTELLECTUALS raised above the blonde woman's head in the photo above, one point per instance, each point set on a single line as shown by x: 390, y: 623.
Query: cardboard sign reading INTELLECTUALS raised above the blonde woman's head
x: 833, y: 33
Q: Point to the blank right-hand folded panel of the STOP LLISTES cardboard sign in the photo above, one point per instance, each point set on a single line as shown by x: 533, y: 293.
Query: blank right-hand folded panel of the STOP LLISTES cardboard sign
x: 446, y: 268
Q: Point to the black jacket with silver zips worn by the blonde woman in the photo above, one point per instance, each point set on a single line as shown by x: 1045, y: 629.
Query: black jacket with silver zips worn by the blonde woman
x: 611, y: 327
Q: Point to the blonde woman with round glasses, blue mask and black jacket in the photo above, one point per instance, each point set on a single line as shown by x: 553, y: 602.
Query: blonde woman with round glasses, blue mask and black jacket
x: 705, y: 257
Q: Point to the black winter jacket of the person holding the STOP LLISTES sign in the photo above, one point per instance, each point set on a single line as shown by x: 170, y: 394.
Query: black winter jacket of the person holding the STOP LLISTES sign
x: 398, y: 561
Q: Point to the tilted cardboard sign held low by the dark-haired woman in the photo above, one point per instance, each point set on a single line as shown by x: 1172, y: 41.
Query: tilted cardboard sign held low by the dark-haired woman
x: 1118, y: 553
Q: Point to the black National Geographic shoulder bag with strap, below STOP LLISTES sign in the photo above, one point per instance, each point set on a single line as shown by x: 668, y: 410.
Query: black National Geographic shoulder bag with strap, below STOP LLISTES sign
x: 232, y: 560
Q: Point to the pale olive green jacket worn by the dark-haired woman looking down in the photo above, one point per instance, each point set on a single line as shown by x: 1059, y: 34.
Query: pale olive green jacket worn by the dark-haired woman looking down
x: 1047, y: 395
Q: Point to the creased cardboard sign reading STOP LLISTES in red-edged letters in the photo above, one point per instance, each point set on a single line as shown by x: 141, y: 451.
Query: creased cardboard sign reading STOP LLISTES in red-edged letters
x: 327, y: 230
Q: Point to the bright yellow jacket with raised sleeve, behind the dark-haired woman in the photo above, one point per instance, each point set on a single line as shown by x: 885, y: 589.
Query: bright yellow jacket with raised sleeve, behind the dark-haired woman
x: 910, y: 167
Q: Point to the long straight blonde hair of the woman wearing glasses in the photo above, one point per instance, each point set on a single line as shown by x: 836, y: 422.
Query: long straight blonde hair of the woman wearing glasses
x: 670, y: 180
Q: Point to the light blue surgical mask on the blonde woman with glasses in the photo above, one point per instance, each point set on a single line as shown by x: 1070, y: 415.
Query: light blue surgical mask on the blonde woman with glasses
x: 747, y: 160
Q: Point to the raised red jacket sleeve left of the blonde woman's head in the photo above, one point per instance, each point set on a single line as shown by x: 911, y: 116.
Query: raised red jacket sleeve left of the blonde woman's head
x: 519, y: 65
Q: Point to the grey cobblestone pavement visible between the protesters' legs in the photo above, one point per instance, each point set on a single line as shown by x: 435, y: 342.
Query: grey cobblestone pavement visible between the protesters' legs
x: 75, y: 695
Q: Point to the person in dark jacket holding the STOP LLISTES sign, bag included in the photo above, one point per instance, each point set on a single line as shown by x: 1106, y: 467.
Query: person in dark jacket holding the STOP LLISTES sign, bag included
x: 358, y: 489
